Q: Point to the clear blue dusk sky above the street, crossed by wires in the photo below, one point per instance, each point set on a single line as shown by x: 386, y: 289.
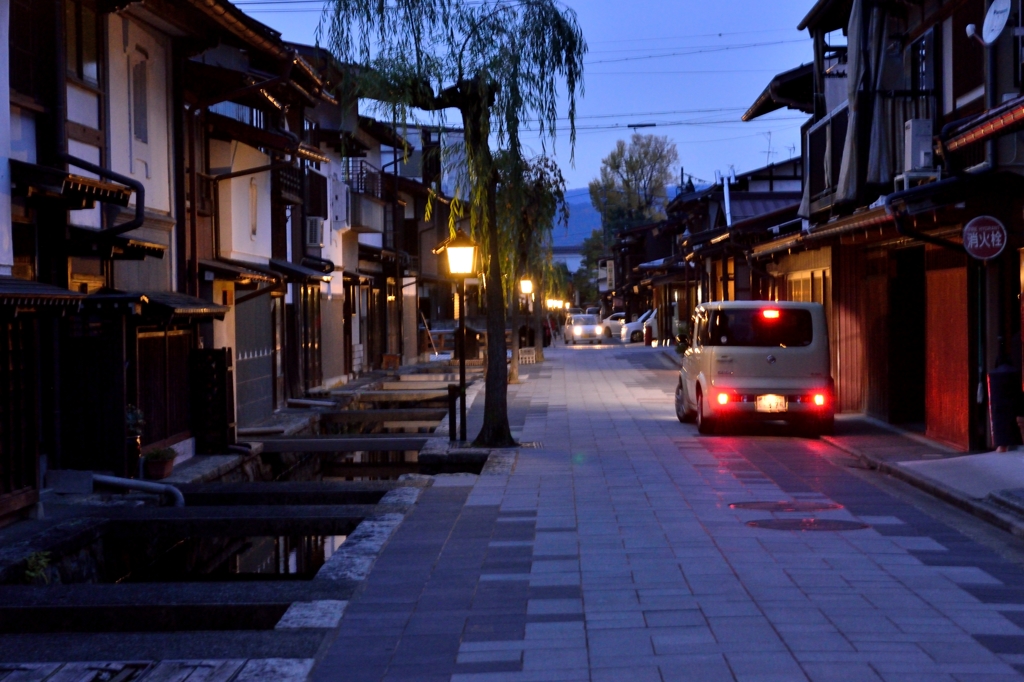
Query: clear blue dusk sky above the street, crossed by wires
x: 693, y: 68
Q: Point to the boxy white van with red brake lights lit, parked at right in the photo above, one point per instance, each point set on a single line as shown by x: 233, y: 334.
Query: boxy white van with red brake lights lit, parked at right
x: 757, y: 361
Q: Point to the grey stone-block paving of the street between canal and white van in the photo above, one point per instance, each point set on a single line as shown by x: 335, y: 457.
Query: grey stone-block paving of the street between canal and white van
x: 611, y: 552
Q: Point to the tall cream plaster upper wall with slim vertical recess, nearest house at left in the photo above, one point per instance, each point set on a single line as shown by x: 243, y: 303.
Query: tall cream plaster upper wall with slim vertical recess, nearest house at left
x: 131, y: 44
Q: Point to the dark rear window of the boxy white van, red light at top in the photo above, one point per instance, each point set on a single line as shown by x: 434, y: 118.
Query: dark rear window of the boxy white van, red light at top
x: 744, y: 327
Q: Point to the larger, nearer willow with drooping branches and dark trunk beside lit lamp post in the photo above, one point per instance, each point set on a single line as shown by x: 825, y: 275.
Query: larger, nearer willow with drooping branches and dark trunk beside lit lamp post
x: 501, y: 66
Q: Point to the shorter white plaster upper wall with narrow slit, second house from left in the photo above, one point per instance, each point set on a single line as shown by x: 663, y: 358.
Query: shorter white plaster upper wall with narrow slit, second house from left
x: 237, y: 242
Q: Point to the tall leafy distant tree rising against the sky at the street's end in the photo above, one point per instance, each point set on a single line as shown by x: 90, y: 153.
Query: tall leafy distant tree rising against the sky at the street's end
x: 632, y: 188
